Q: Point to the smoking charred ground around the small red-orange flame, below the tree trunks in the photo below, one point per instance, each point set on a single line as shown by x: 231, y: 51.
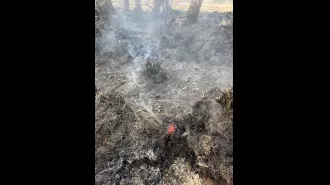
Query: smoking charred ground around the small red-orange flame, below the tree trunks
x: 151, y: 71
